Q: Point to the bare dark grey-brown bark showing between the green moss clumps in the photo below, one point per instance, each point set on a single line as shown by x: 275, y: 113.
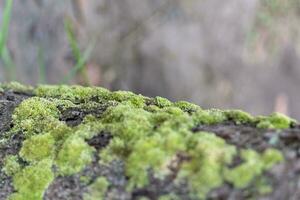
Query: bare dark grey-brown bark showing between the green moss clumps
x: 284, y: 178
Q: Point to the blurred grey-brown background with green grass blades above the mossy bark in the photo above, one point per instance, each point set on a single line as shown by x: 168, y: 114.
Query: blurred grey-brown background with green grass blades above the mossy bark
x: 215, y: 53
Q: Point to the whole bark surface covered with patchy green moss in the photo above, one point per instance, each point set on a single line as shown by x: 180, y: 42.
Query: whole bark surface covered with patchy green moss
x: 71, y: 142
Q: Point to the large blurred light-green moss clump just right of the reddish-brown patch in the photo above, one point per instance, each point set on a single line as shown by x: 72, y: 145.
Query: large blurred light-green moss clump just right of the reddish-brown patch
x: 209, y: 156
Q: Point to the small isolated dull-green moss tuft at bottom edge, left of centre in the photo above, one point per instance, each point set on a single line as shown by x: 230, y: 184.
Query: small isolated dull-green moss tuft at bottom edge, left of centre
x: 97, y: 190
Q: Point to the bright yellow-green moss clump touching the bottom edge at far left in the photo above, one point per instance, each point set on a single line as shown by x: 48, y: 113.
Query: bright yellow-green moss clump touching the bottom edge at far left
x: 31, y: 181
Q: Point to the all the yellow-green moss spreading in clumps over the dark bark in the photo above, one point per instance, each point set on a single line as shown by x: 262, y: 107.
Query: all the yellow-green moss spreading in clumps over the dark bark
x: 148, y: 134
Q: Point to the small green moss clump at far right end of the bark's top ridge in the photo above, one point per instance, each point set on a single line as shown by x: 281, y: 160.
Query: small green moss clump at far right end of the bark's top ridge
x: 274, y: 121
